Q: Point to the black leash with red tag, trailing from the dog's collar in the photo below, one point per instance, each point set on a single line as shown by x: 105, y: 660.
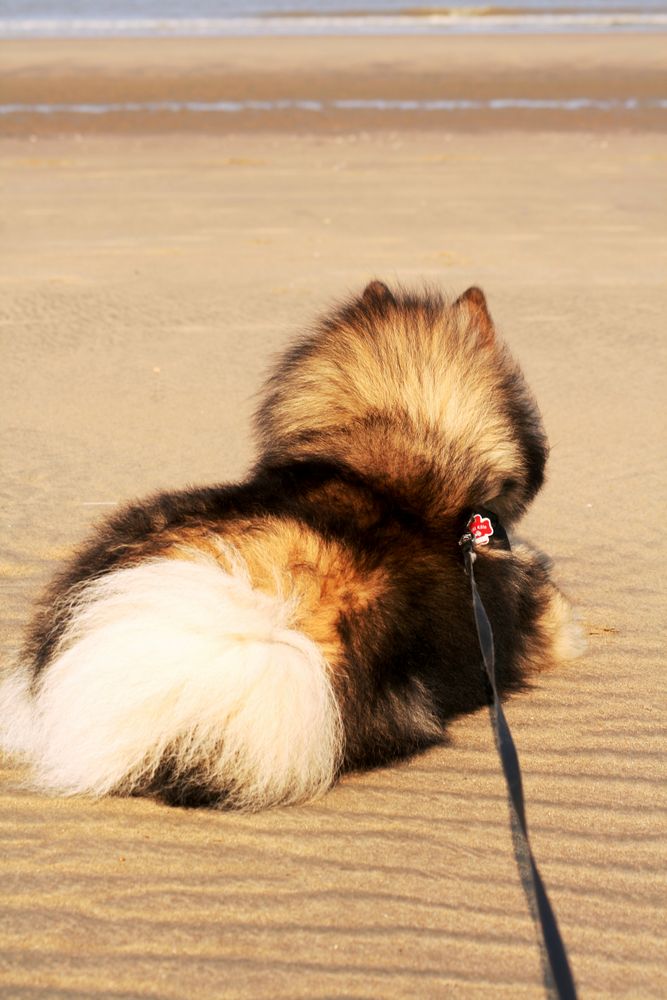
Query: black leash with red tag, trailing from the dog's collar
x: 480, y: 528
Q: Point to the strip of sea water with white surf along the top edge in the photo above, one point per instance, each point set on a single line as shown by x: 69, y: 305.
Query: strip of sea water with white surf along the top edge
x: 234, y: 18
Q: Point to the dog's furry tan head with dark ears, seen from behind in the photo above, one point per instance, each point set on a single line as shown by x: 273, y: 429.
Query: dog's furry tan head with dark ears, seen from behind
x: 415, y: 391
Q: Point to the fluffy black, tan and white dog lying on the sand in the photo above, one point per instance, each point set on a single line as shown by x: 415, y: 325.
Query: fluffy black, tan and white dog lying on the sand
x: 242, y: 646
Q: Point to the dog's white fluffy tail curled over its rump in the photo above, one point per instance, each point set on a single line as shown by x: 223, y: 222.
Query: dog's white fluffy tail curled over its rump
x: 179, y: 663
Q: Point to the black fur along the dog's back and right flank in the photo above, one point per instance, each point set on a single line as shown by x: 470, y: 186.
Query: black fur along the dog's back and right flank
x: 421, y: 627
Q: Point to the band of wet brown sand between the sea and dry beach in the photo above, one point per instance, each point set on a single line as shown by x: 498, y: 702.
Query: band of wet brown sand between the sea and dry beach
x: 358, y: 84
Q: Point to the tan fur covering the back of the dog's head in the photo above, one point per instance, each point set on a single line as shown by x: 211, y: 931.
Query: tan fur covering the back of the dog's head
x: 423, y: 387
